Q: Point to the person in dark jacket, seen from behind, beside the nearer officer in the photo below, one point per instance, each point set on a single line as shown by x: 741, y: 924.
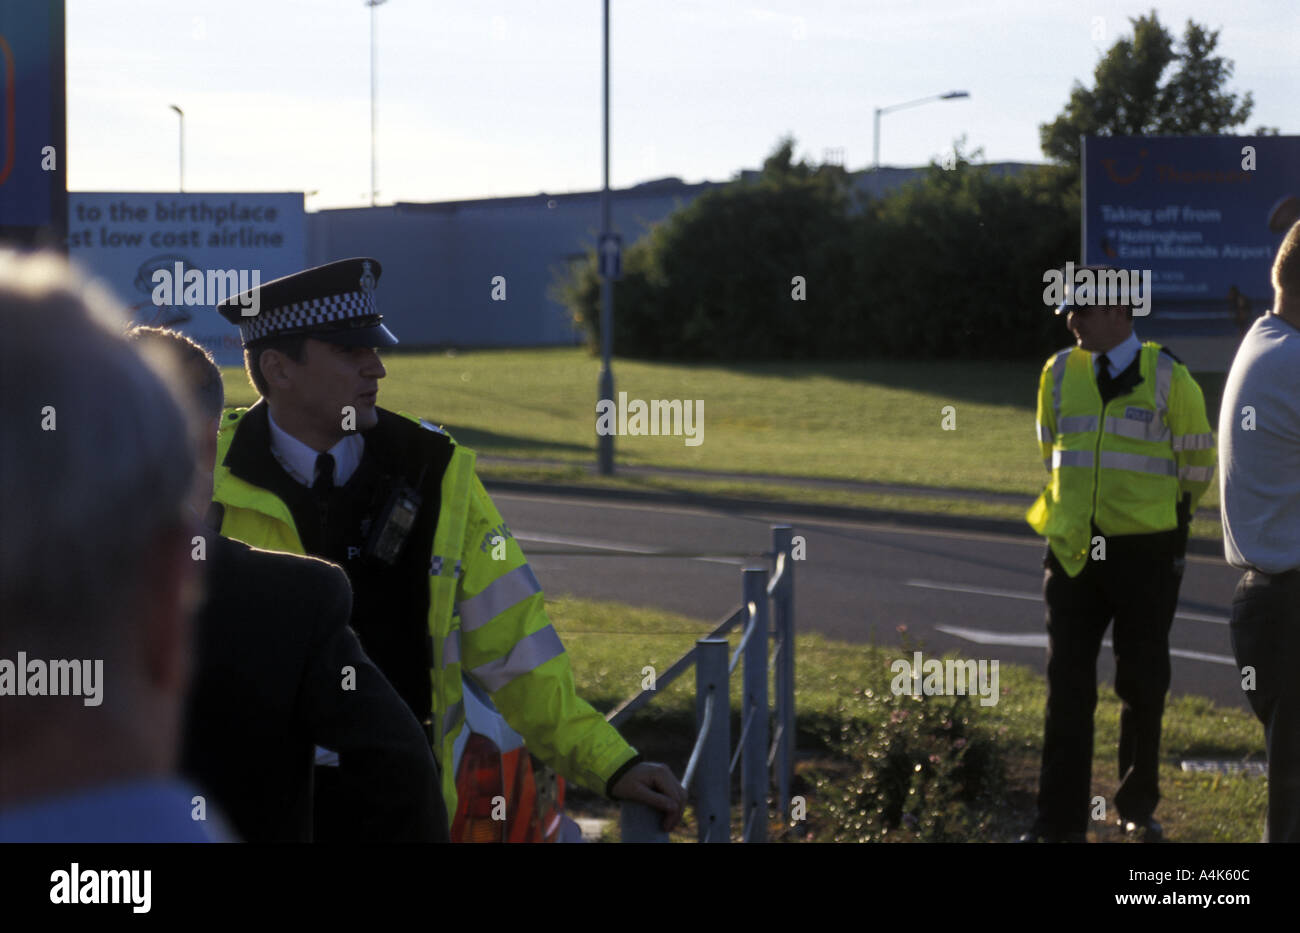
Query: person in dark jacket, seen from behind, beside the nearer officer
x: 278, y: 672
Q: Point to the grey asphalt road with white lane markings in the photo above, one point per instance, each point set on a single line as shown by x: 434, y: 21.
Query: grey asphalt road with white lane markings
x: 977, y: 594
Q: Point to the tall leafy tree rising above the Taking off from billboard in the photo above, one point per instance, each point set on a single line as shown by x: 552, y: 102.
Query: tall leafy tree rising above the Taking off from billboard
x: 1130, y: 98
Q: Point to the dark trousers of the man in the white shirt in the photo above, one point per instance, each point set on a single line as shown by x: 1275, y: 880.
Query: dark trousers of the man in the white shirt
x: 1267, y: 637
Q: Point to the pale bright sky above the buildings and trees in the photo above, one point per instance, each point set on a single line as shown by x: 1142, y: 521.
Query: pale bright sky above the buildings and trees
x: 493, y: 99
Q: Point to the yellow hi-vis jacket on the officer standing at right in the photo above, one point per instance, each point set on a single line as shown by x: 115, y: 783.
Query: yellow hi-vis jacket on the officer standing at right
x: 1124, y: 466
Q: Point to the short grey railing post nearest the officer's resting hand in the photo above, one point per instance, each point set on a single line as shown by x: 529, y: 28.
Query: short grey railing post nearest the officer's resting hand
x: 713, y: 773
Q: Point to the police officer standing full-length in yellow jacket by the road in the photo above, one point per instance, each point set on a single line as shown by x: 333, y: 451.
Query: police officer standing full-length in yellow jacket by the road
x: 1125, y: 439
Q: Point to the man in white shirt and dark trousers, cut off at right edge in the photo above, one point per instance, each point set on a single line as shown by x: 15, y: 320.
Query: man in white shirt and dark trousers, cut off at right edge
x: 1260, y: 494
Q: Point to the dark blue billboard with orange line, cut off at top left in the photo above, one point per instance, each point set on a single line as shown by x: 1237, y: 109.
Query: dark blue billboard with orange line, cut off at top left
x: 33, y: 189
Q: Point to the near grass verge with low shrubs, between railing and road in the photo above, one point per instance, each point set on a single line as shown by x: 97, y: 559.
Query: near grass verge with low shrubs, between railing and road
x: 843, y: 687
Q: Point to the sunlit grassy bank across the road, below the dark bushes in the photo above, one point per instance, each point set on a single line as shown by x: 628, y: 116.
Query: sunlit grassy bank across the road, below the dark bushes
x: 878, y: 422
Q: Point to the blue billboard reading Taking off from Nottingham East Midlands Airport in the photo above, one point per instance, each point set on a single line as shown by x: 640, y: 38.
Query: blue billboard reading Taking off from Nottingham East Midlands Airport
x: 1204, y: 214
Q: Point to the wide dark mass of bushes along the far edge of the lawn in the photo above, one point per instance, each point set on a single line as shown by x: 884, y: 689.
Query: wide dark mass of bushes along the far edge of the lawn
x: 944, y: 268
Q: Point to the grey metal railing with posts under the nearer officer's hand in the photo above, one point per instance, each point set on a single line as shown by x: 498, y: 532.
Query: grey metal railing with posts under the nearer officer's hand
x: 709, y: 771
